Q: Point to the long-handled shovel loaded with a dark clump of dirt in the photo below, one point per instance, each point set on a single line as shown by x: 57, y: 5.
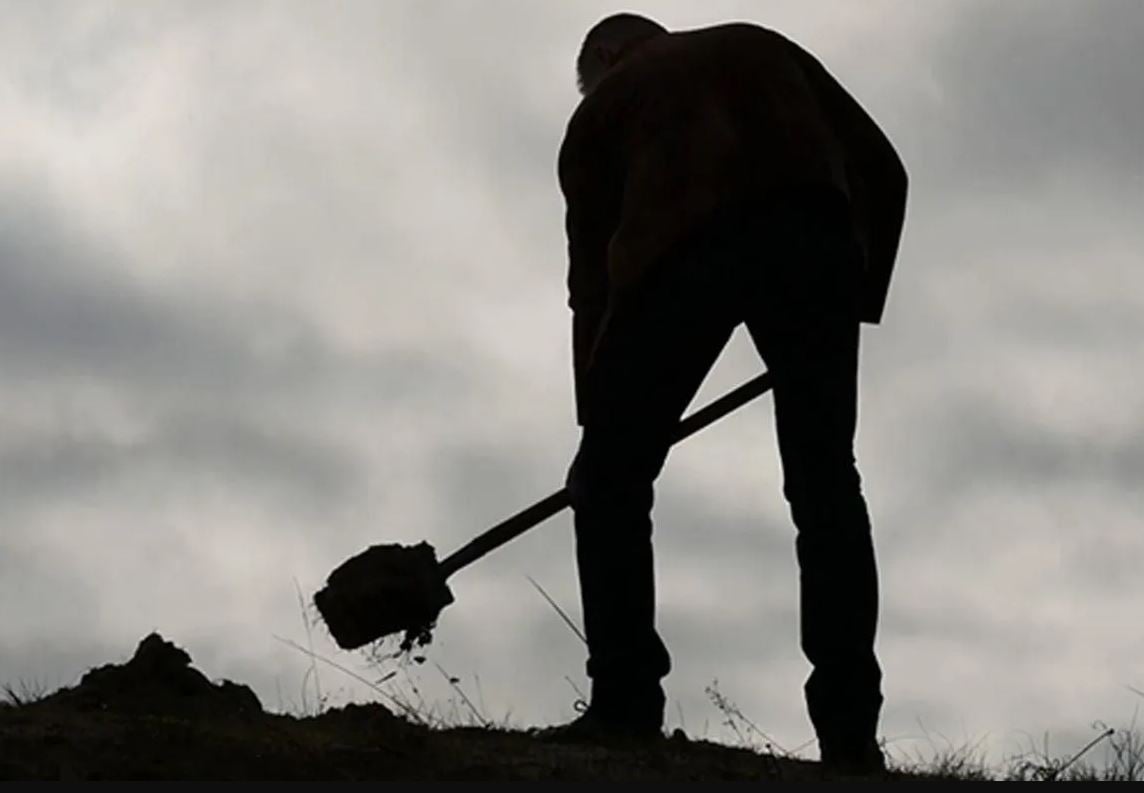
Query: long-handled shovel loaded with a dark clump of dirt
x: 393, y: 589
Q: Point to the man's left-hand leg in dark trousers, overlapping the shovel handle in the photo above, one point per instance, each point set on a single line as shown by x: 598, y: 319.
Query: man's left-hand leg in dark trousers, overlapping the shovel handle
x: 649, y: 364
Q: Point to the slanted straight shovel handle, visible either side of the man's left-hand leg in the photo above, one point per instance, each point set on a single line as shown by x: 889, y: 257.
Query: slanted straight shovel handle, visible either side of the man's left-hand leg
x: 542, y: 511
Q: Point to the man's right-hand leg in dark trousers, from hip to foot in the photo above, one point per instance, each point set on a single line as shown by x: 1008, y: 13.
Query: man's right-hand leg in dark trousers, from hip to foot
x: 808, y: 335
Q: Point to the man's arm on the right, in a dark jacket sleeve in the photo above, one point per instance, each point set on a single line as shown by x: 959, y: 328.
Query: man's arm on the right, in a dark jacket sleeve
x: 877, y: 179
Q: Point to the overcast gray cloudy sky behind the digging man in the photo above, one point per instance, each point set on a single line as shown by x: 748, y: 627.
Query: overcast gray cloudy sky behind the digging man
x: 280, y: 281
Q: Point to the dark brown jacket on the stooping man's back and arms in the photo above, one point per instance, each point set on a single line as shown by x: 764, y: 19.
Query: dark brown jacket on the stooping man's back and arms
x: 698, y: 121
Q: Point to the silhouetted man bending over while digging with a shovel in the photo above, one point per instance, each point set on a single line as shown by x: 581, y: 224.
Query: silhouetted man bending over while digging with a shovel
x: 713, y: 178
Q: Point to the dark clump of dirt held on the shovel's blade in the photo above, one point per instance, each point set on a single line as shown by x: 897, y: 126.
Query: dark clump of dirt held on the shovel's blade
x: 383, y: 591
